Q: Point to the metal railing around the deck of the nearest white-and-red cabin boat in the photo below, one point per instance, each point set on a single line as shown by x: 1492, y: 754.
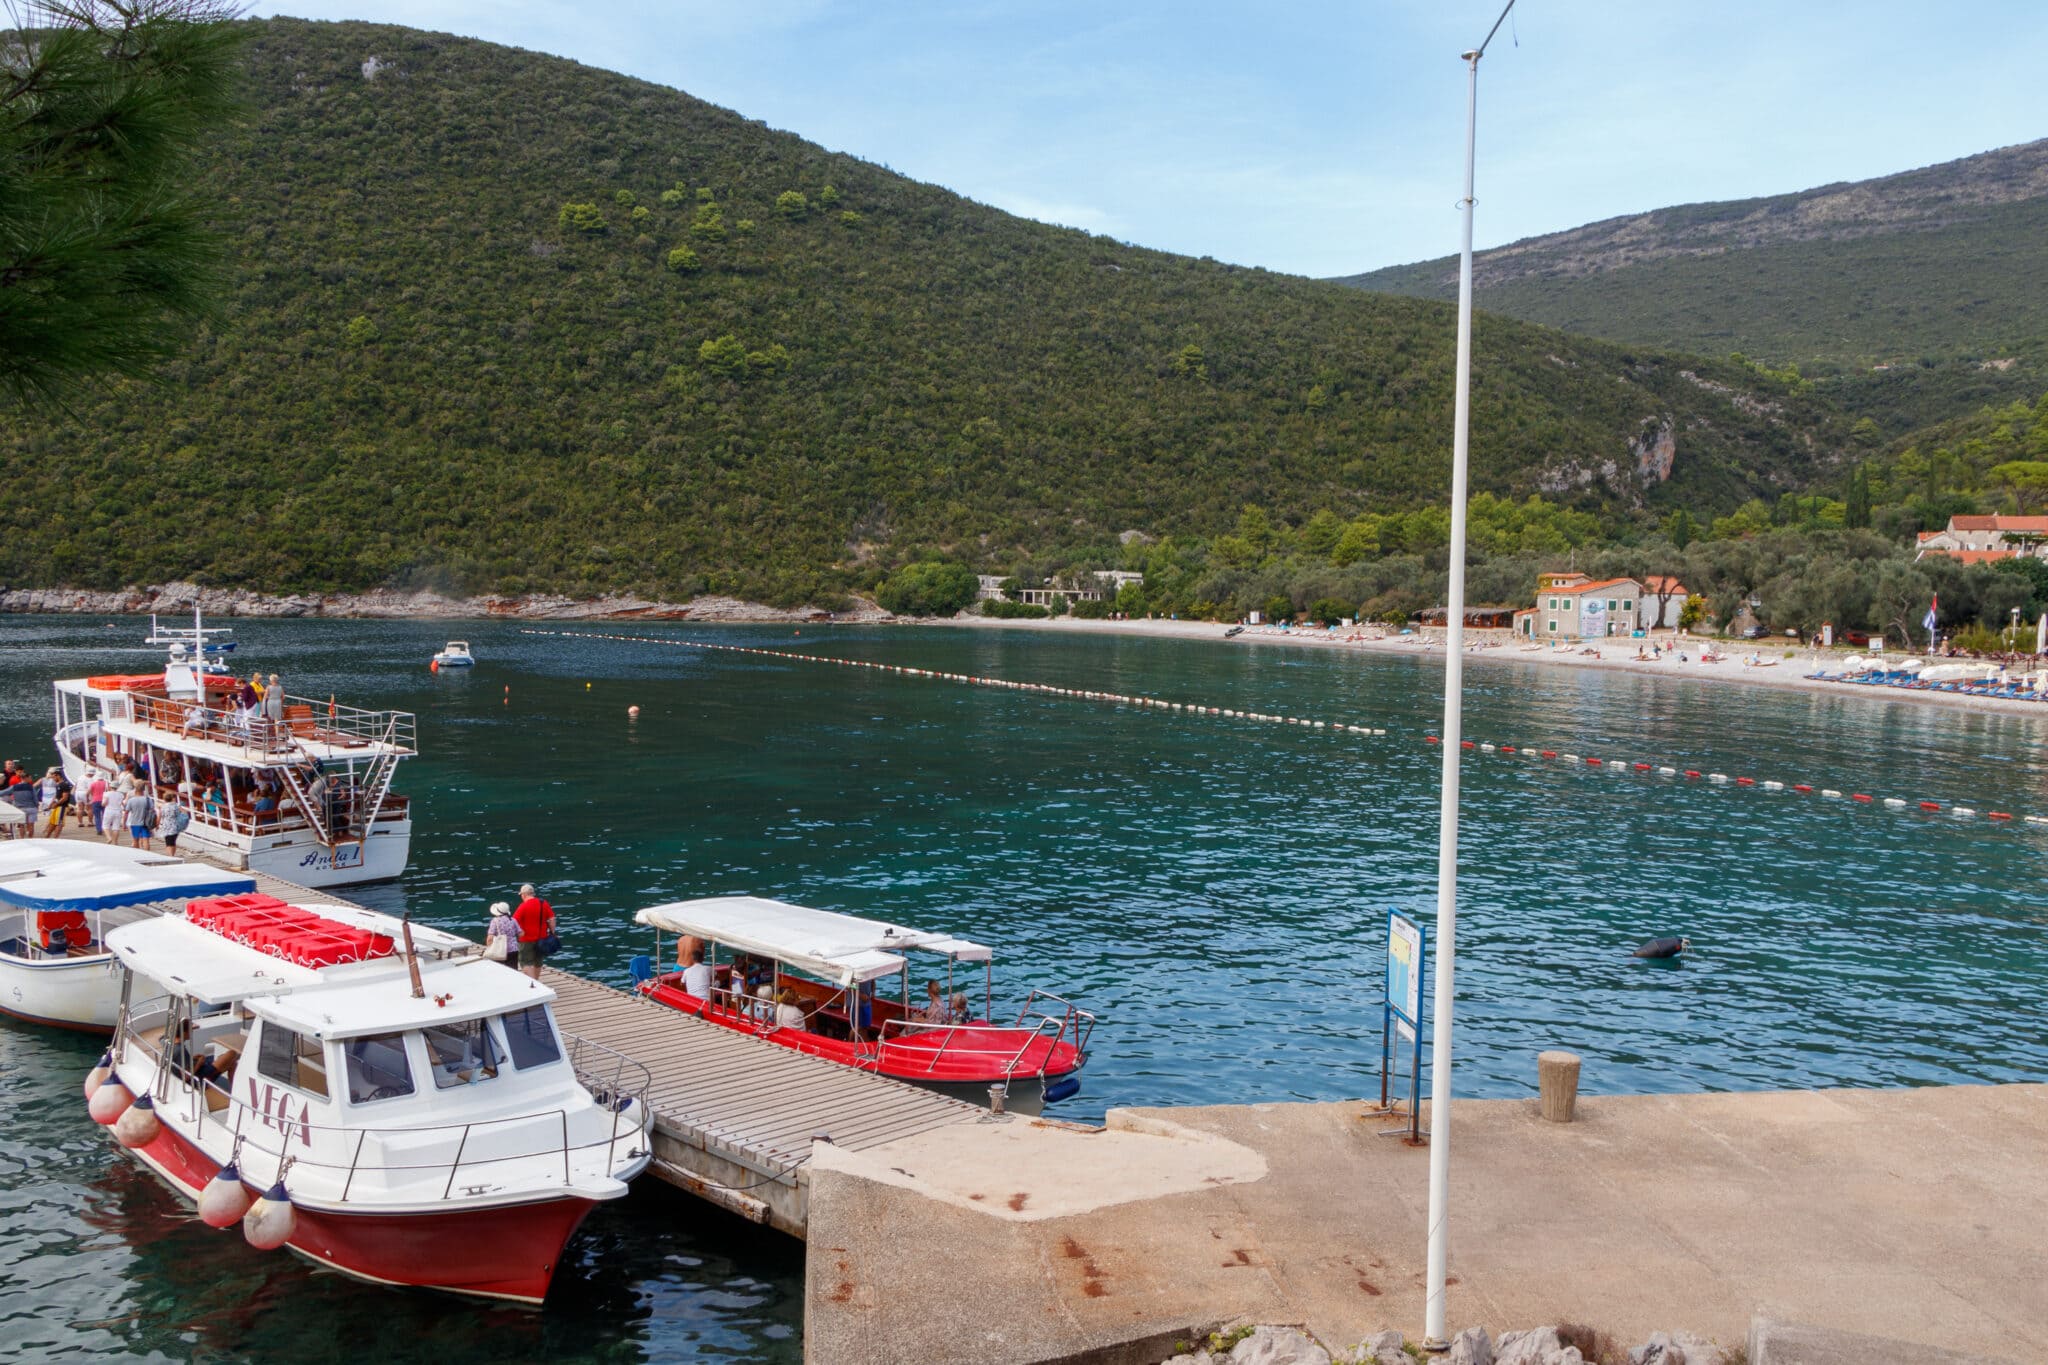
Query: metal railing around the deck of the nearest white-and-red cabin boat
x: 210, y: 1102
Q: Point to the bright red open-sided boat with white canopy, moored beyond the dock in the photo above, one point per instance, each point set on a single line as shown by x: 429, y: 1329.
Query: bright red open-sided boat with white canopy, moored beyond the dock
x: 810, y: 981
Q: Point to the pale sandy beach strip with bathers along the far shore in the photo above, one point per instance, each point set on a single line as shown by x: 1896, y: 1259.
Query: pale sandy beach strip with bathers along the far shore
x: 1744, y: 664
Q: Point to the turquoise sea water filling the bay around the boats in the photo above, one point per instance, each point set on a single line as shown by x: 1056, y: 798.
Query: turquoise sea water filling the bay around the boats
x: 1213, y: 889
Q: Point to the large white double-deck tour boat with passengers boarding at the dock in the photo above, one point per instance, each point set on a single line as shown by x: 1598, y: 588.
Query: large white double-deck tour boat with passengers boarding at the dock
x: 302, y: 787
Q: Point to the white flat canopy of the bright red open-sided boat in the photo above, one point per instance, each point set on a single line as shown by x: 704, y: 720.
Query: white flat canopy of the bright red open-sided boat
x: 841, y: 949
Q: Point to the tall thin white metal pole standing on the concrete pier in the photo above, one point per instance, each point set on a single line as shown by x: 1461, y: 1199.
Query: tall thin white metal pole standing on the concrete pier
x: 1447, y: 852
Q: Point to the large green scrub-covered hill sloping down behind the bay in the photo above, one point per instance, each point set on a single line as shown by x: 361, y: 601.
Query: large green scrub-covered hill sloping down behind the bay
x: 505, y: 322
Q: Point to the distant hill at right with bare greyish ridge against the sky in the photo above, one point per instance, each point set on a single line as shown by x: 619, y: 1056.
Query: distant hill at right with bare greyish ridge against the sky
x: 1928, y: 275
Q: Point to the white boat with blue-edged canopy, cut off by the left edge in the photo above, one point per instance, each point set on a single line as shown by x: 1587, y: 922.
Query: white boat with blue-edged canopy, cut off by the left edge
x: 58, y: 904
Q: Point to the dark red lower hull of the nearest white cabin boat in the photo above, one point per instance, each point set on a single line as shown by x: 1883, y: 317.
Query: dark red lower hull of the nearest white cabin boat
x: 503, y: 1253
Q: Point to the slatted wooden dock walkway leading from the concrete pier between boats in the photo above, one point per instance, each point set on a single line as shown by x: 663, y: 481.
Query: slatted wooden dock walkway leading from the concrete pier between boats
x: 734, y: 1116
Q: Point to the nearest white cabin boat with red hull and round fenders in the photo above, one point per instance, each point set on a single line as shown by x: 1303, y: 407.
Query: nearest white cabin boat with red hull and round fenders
x: 407, y: 1108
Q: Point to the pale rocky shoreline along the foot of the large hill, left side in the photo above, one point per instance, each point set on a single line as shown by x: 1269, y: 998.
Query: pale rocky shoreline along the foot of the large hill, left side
x: 390, y: 605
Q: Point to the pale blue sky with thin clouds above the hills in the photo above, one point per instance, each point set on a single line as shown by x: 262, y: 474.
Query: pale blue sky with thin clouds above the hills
x: 1322, y: 138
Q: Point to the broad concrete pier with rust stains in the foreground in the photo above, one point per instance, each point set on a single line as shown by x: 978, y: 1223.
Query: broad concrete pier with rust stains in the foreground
x: 1910, y: 1215
